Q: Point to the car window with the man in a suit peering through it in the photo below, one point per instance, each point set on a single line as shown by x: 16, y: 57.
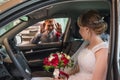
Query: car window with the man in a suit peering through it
x: 44, y: 31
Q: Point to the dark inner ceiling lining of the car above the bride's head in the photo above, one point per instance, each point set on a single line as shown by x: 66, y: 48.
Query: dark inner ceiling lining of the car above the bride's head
x: 71, y: 8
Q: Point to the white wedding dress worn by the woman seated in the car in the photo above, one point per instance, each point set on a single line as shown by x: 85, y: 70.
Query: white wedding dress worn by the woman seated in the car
x: 86, y: 61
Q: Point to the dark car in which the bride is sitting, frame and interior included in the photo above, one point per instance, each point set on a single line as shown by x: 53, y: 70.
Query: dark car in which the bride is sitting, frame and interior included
x: 20, y: 20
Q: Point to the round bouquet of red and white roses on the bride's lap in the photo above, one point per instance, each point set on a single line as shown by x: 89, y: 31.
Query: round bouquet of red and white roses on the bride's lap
x: 57, y: 60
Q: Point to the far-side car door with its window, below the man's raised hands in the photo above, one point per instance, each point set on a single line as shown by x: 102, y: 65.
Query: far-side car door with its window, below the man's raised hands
x: 35, y: 53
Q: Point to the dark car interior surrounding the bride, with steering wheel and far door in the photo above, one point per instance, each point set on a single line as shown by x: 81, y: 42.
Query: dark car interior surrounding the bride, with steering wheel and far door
x: 30, y: 56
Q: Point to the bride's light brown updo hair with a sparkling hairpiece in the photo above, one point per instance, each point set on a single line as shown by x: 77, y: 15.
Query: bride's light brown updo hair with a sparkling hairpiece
x: 94, y: 21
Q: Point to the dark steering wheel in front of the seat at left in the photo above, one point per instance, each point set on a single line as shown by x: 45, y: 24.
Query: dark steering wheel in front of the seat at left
x: 19, y: 61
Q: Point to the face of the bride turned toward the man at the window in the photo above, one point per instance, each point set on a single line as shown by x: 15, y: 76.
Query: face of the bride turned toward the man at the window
x: 84, y: 32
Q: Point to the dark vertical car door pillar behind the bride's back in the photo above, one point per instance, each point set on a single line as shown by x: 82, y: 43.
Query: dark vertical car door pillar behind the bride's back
x: 114, y: 56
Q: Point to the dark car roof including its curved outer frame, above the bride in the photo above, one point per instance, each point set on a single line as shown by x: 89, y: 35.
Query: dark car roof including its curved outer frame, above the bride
x: 52, y: 8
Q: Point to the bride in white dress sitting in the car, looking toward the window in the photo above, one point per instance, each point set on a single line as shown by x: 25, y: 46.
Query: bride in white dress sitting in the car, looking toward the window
x: 91, y: 58
